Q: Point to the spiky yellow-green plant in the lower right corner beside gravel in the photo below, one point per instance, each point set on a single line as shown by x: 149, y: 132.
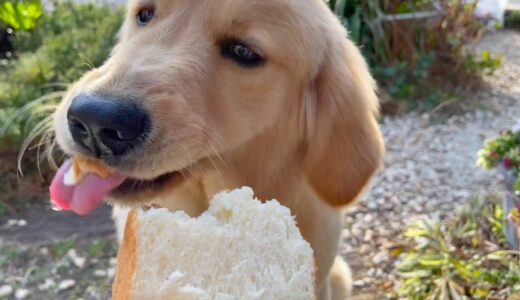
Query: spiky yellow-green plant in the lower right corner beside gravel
x: 459, y: 258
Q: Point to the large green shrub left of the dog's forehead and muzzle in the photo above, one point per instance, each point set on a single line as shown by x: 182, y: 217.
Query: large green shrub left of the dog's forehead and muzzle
x: 67, y: 41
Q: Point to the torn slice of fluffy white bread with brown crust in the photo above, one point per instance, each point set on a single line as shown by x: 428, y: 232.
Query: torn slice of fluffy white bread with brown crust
x: 238, y: 249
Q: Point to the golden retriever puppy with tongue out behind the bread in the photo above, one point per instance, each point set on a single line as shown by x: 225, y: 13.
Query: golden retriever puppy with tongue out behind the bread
x: 200, y: 96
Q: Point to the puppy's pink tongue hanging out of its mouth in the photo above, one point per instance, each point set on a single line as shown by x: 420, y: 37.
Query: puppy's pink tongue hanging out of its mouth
x: 86, y: 195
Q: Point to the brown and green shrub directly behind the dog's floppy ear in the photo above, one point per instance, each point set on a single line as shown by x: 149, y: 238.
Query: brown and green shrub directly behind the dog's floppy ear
x: 412, y: 44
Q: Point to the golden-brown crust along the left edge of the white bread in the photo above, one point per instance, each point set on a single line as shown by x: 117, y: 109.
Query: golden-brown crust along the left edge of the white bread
x: 126, y: 261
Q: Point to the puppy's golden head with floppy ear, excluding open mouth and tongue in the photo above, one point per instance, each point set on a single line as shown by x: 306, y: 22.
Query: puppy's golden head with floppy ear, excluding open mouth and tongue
x: 190, y: 81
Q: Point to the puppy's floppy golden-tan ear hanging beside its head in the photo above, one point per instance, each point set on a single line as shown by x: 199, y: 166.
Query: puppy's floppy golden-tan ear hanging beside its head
x: 344, y: 146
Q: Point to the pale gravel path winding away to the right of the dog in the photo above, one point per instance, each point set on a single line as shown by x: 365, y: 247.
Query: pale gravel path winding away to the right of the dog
x: 430, y: 169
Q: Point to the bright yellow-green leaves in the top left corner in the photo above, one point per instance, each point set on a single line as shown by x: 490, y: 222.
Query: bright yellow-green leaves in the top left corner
x: 20, y: 14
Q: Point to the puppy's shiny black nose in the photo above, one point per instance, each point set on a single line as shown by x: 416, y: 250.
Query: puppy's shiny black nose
x: 103, y: 124
